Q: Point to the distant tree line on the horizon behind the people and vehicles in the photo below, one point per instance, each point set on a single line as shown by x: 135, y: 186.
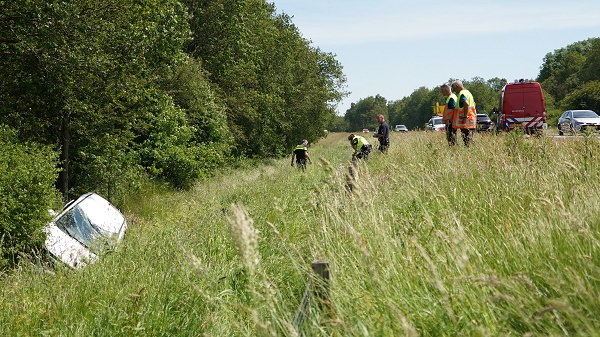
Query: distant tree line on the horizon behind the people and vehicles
x: 569, y: 76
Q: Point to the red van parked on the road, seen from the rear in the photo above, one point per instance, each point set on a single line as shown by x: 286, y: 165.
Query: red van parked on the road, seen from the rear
x: 522, y: 106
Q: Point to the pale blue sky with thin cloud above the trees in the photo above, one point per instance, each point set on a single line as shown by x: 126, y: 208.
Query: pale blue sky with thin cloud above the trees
x: 392, y: 48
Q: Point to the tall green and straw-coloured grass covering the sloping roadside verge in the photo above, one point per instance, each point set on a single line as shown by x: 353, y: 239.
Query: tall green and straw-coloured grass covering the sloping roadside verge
x: 499, y: 239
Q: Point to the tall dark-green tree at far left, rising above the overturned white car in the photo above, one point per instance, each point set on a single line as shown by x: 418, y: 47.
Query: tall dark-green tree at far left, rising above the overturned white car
x: 77, y: 72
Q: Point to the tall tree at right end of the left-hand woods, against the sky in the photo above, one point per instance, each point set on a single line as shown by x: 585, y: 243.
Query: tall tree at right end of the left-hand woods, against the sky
x: 276, y: 87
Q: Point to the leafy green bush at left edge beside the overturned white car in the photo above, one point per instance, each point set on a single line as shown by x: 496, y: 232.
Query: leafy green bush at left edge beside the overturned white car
x: 27, y: 176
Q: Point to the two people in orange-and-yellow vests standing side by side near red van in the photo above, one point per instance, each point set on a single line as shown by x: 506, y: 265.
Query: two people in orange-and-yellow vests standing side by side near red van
x: 459, y: 112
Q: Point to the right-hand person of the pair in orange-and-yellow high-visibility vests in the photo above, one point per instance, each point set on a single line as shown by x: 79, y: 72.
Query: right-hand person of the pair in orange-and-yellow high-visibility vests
x: 466, y: 118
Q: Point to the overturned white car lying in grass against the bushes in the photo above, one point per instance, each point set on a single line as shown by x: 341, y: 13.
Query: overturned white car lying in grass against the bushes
x: 83, y: 230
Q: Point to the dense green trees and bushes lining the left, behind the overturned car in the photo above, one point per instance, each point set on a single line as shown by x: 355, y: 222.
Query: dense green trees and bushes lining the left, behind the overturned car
x: 110, y: 94
